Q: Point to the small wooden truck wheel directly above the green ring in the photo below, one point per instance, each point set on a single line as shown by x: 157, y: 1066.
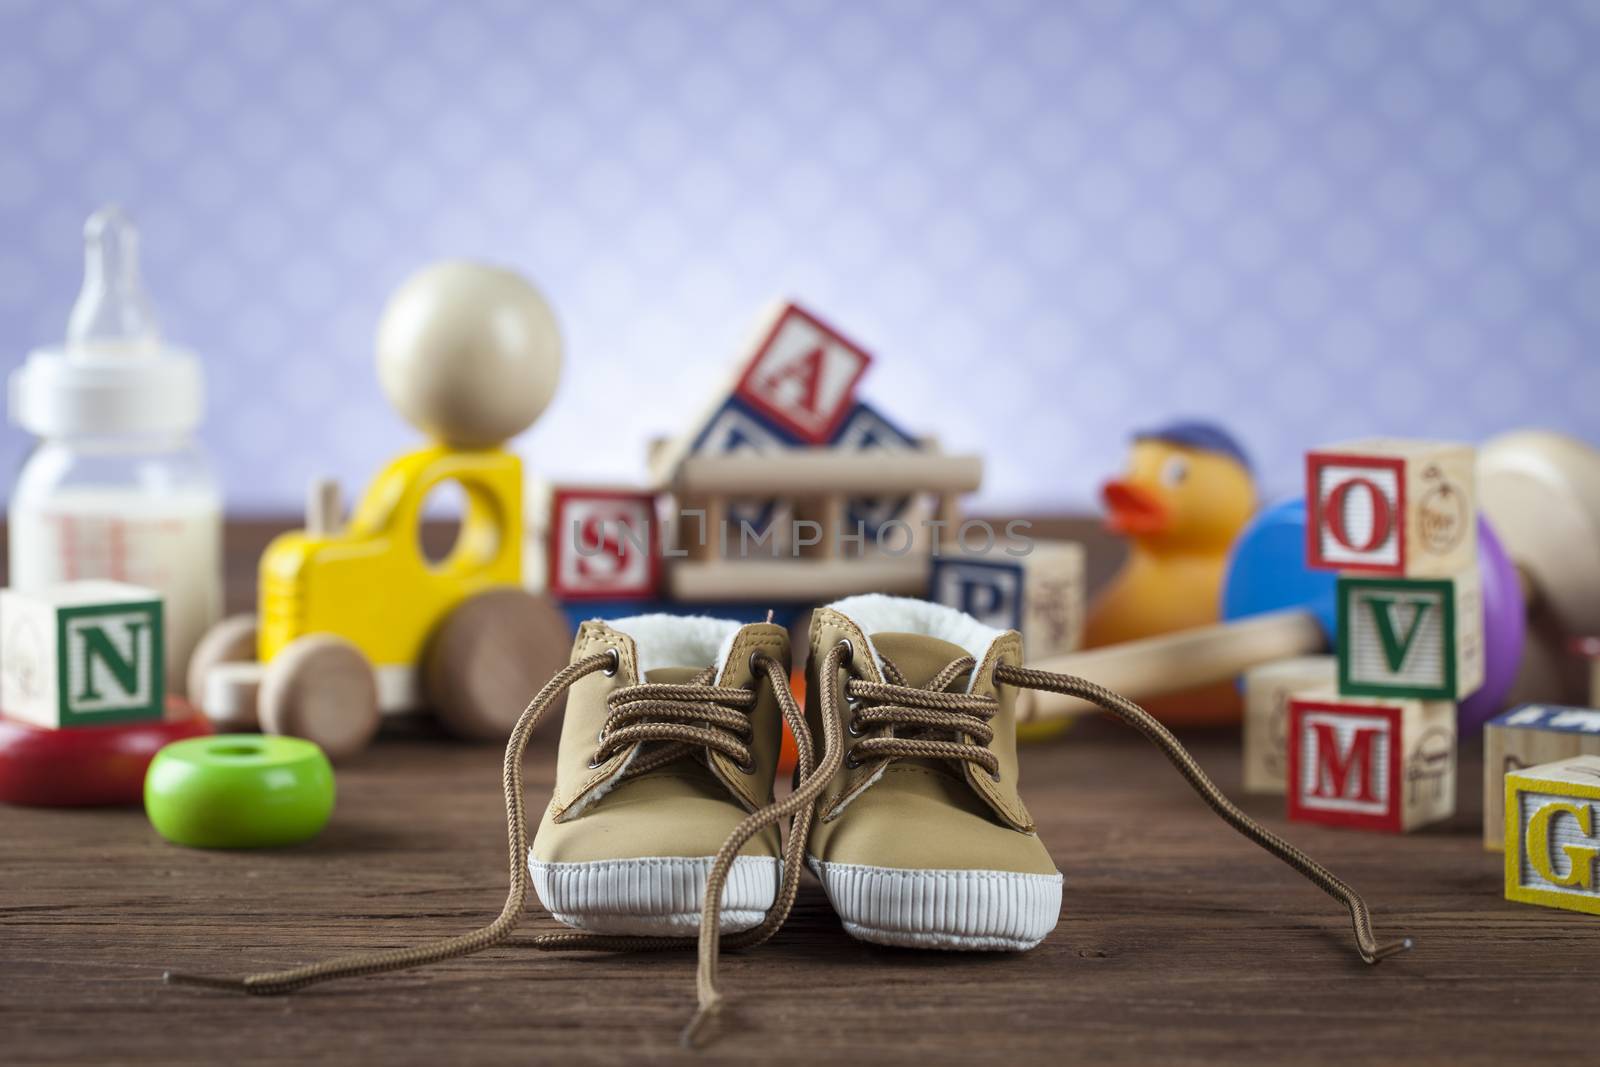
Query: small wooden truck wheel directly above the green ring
x: 321, y: 689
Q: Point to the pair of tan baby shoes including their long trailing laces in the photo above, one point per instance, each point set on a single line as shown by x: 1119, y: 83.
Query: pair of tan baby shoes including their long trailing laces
x: 905, y: 804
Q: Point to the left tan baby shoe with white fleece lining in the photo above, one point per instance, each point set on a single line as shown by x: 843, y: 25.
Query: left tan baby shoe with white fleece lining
x: 650, y: 786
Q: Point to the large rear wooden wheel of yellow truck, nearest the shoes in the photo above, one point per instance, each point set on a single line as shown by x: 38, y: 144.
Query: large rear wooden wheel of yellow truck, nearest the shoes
x: 489, y: 660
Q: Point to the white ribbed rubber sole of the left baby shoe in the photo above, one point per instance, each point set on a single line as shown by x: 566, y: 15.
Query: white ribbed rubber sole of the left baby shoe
x: 654, y: 895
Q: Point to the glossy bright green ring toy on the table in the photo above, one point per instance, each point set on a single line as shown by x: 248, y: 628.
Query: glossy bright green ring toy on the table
x: 239, y: 791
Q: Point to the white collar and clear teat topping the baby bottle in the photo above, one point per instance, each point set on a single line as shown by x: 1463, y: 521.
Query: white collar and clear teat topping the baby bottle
x: 114, y: 375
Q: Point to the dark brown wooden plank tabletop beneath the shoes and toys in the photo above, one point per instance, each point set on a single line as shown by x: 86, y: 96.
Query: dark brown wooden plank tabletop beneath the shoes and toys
x: 1178, y: 941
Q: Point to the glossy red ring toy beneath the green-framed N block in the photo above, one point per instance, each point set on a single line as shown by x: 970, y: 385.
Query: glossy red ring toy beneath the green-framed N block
x: 87, y: 767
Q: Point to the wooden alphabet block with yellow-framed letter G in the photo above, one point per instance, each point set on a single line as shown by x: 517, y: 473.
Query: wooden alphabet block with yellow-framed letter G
x: 1553, y: 836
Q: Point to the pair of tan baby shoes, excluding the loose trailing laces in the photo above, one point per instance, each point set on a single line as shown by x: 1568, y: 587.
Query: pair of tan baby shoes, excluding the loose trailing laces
x: 919, y: 836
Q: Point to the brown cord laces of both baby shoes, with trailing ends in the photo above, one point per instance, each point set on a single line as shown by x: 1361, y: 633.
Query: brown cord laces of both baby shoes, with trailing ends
x: 879, y: 708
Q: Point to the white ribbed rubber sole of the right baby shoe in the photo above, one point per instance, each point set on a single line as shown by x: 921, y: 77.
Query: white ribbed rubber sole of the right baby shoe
x: 988, y: 911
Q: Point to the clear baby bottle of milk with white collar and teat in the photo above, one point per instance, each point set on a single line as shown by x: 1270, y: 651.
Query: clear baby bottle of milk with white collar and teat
x: 118, y: 486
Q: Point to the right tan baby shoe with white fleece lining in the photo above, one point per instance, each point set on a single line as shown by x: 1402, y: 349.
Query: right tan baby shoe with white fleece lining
x: 921, y: 839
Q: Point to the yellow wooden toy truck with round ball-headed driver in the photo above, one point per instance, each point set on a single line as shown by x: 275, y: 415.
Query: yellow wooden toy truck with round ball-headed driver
x: 356, y: 618
